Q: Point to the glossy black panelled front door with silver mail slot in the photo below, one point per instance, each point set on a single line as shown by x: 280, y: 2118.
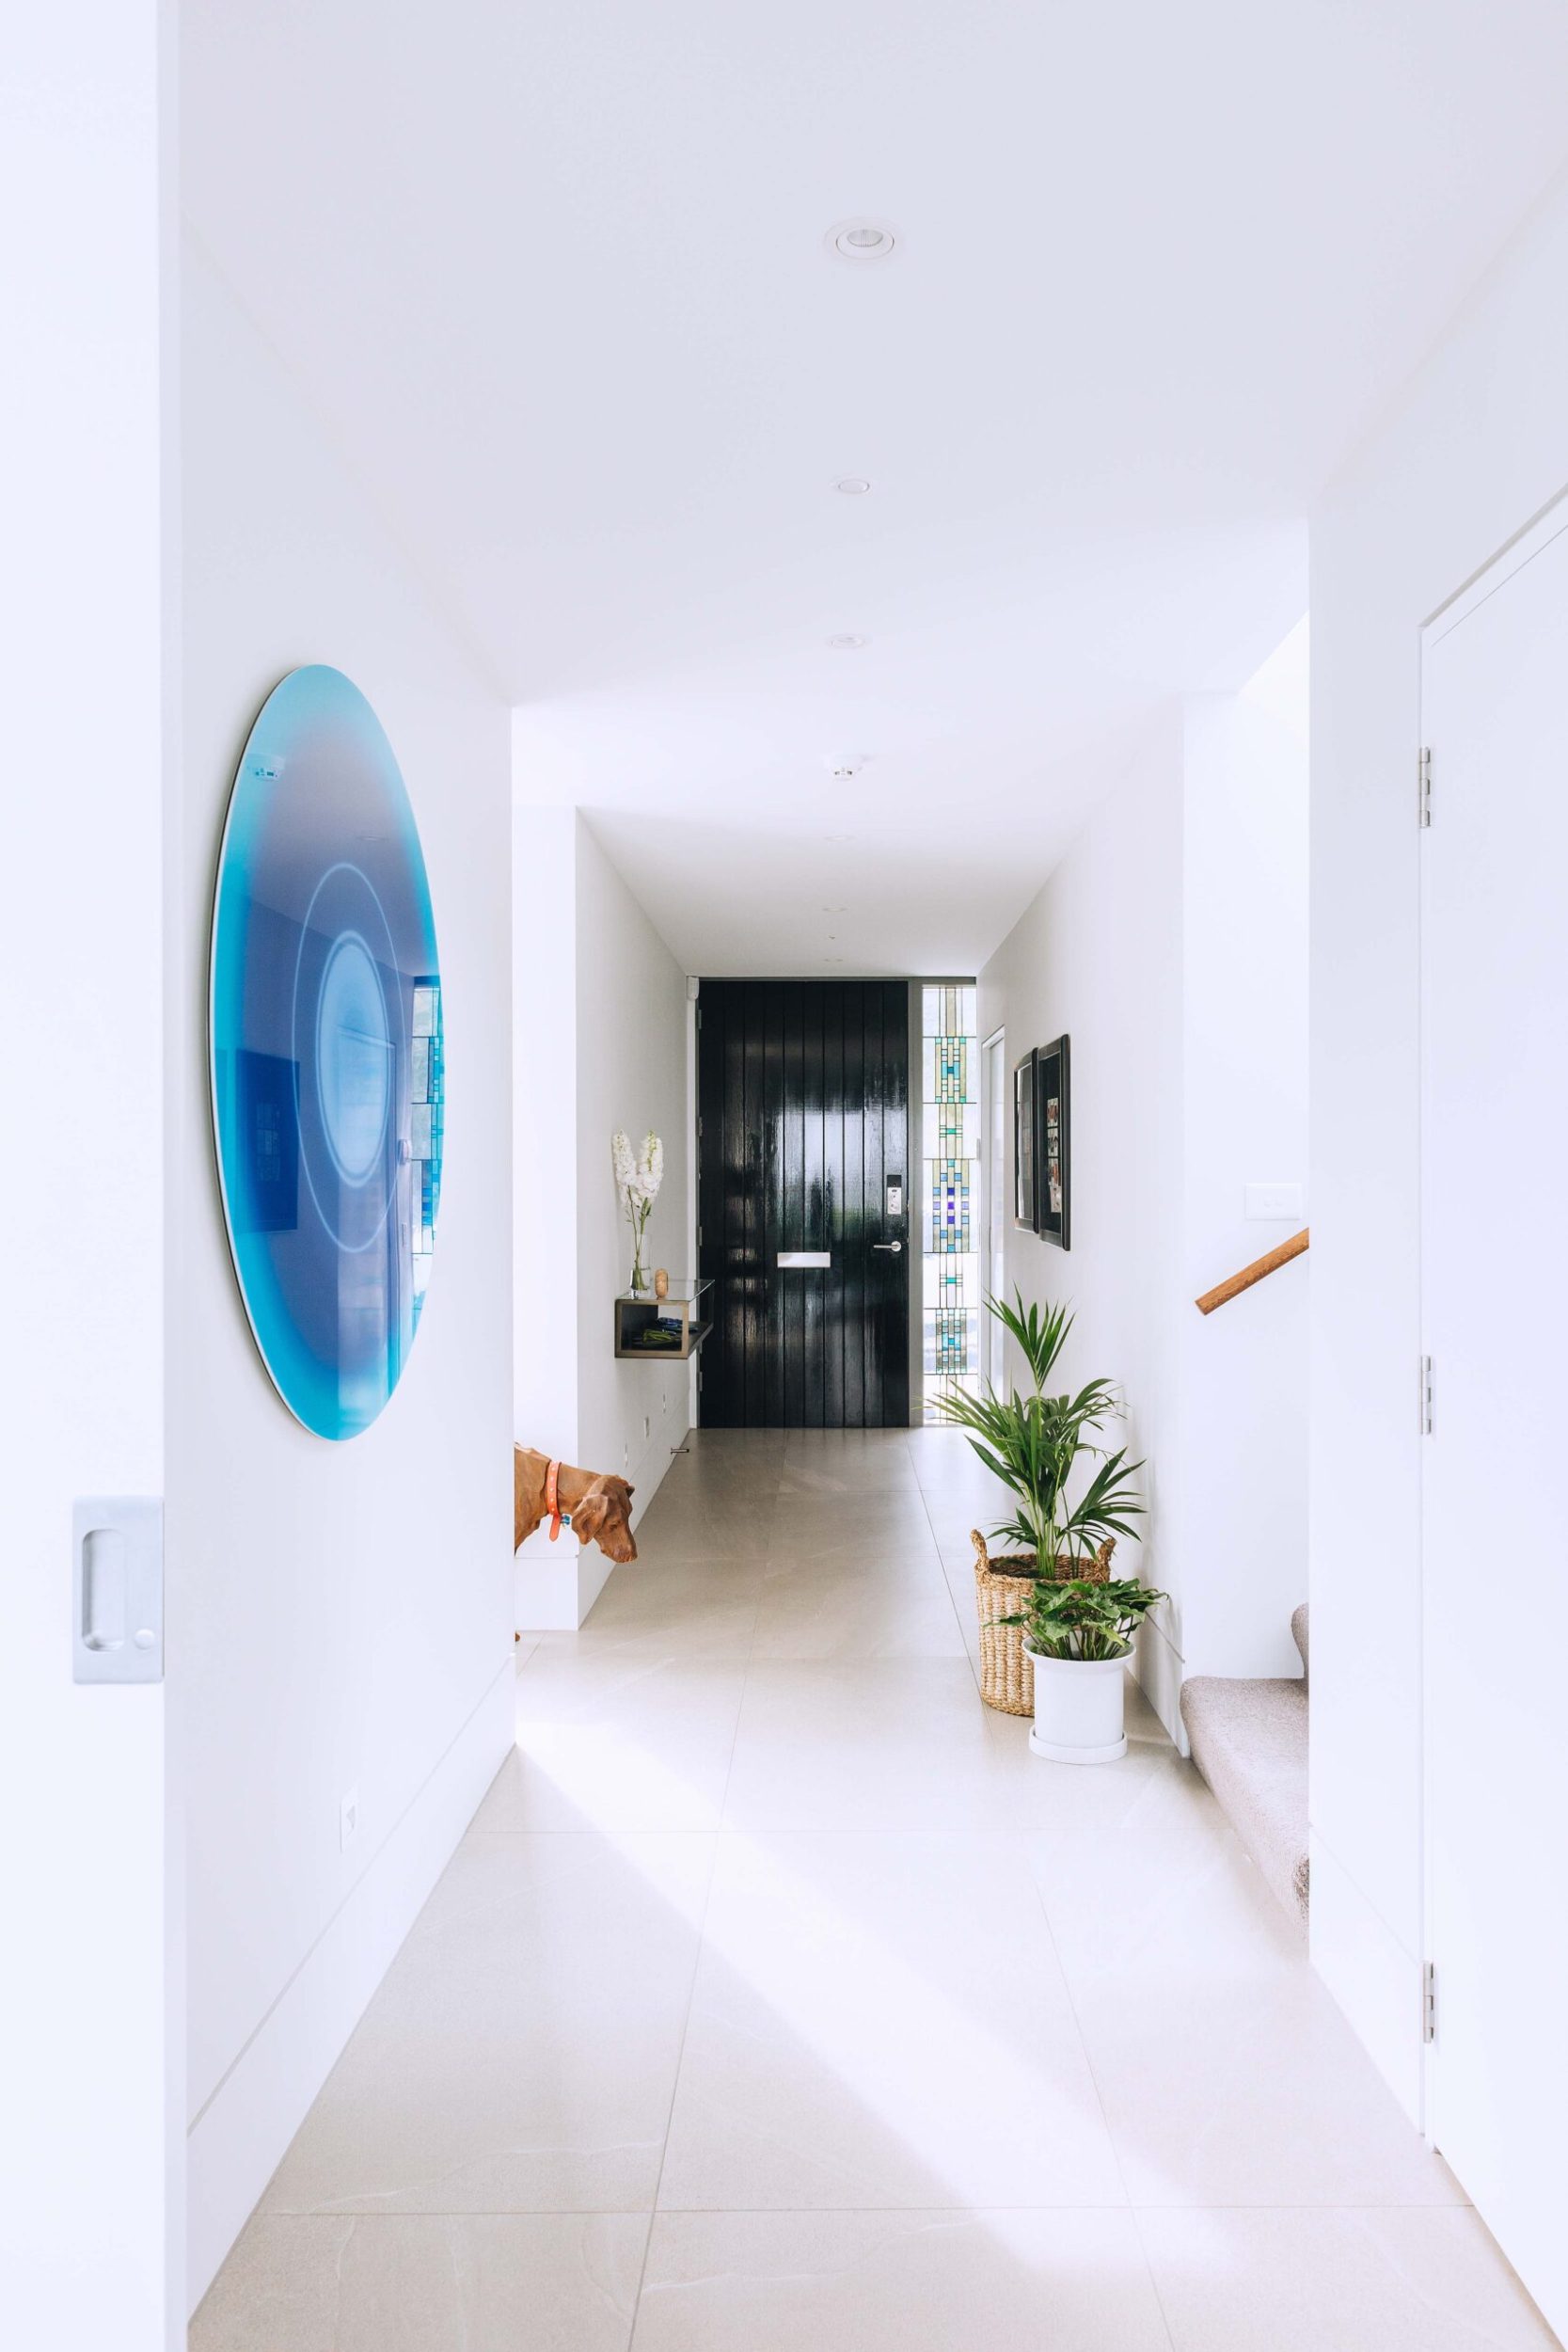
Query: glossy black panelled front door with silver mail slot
x: 805, y: 1156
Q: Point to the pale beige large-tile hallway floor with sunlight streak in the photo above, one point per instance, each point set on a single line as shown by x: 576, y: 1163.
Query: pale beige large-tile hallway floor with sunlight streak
x: 779, y: 2000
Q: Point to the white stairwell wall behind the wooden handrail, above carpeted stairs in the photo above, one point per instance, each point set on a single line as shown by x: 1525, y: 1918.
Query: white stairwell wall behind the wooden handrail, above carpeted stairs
x: 1245, y: 1121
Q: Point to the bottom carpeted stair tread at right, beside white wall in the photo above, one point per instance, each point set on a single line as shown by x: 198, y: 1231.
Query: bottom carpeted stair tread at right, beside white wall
x: 1249, y: 1739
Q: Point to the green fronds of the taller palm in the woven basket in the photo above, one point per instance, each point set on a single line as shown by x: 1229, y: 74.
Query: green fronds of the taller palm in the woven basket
x: 1033, y: 1443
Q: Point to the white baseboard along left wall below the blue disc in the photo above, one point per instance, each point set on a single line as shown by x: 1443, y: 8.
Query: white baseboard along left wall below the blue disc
x: 246, y: 2127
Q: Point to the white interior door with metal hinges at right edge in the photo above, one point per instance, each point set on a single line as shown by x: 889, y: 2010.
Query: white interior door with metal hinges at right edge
x: 1496, y: 1582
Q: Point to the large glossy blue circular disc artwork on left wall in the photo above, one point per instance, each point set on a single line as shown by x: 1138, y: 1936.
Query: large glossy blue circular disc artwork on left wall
x: 328, y: 1083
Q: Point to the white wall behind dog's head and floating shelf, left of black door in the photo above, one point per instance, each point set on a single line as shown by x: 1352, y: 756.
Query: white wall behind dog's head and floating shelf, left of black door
x: 601, y: 1043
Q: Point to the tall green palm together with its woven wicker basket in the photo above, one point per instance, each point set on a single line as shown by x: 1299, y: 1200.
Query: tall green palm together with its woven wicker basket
x: 1073, y: 1495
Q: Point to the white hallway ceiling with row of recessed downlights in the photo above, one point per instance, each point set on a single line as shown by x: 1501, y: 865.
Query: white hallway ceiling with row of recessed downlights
x: 558, y: 279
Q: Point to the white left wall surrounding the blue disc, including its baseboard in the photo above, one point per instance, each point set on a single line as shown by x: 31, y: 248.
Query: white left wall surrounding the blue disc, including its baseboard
x: 340, y: 1617
